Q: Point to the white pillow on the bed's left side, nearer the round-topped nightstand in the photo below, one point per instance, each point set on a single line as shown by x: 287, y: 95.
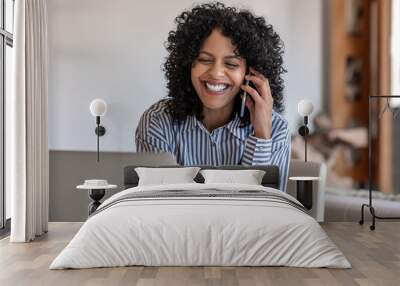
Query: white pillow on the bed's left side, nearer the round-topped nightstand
x: 163, y: 176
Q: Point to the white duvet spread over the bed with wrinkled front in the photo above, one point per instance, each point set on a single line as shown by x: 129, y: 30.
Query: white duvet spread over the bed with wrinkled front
x: 200, y: 231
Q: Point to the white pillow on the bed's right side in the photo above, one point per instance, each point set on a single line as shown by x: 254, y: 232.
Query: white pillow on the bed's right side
x: 248, y: 177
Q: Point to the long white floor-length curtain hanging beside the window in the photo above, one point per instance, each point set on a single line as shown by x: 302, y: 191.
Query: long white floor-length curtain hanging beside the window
x: 26, y: 135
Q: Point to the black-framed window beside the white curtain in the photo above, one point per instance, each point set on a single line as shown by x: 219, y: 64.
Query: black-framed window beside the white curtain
x: 6, y: 60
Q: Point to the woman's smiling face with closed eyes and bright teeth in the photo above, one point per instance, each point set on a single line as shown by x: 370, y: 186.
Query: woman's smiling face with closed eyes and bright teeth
x: 217, y: 74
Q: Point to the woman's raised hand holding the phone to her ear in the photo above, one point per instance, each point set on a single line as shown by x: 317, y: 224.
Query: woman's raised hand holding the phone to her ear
x: 261, y: 106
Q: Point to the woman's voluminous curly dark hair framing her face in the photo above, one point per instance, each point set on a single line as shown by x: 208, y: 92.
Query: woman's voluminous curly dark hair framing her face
x: 255, y: 40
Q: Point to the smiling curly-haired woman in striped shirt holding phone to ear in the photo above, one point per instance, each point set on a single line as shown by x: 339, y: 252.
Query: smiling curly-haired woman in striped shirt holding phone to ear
x: 209, y: 53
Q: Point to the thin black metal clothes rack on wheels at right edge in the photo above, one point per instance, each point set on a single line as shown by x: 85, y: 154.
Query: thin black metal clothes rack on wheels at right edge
x: 369, y: 205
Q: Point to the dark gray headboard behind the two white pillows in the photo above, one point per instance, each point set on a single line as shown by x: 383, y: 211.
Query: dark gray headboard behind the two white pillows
x: 270, y: 179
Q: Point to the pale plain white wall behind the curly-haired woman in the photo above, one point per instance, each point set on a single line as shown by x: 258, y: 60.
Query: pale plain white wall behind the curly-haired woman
x: 113, y: 49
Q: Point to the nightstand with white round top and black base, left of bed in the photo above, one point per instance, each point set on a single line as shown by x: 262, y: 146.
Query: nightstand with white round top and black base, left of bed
x: 96, y: 191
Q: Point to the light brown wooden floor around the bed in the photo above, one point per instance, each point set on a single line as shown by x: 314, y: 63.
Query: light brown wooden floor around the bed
x: 374, y: 255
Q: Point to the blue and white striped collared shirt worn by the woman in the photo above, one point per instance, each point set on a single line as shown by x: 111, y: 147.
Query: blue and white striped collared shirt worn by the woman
x: 193, y: 144
